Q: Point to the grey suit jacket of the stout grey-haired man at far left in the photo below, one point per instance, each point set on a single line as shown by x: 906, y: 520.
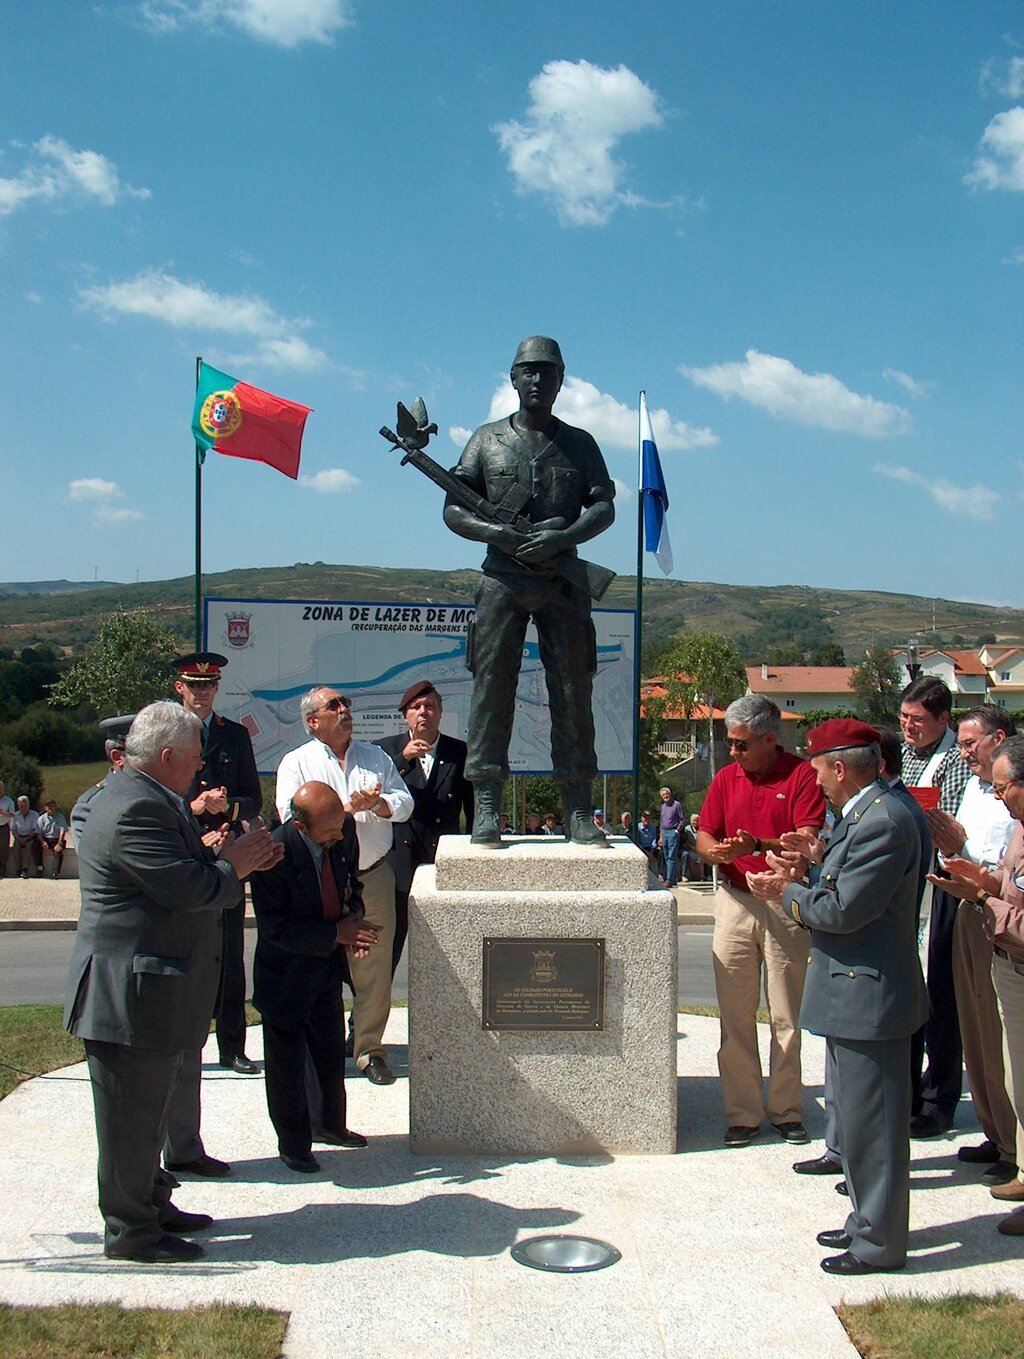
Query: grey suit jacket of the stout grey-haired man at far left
x: 146, y: 966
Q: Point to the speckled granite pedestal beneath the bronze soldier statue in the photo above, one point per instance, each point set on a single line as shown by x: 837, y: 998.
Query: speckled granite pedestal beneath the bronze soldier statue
x: 542, y: 1092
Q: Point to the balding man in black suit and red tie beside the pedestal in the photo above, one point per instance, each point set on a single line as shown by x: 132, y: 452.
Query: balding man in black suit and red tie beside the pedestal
x: 309, y: 910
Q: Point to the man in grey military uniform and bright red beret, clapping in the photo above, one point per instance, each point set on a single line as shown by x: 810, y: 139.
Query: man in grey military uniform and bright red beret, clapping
x: 864, y: 986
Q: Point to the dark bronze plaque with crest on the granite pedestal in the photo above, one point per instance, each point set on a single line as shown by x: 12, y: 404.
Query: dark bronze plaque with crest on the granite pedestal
x: 556, y: 985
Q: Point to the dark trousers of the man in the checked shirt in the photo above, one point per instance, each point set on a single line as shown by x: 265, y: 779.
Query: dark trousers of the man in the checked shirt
x: 942, y: 1085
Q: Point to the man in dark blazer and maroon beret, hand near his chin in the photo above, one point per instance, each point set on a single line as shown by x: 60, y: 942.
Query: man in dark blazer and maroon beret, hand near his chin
x: 433, y: 767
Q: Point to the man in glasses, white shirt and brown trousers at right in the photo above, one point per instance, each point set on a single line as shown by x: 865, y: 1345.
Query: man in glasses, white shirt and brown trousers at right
x: 980, y: 834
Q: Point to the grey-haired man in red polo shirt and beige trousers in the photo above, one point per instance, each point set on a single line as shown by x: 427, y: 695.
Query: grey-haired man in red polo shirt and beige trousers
x: 750, y: 805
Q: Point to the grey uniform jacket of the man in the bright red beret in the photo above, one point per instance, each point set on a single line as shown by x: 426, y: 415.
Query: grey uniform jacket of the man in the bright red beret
x: 864, y: 978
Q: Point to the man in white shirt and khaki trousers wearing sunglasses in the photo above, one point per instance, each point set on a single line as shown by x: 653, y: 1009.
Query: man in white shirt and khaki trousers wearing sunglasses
x: 373, y: 793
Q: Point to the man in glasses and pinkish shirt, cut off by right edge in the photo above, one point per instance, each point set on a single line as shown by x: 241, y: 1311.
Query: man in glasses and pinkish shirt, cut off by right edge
x: 999, y: 900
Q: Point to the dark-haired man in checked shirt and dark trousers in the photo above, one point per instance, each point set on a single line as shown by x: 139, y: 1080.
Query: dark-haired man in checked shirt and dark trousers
x: 932, y: 760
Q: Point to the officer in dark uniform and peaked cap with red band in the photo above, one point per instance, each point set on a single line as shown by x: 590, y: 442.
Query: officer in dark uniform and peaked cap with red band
x: 225, y: 793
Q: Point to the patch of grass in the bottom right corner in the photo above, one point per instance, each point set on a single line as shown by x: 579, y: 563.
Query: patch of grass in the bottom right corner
x: 938, y: 1328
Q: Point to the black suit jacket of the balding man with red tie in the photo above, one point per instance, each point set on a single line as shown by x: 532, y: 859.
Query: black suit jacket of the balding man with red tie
x: 297, y: 952
